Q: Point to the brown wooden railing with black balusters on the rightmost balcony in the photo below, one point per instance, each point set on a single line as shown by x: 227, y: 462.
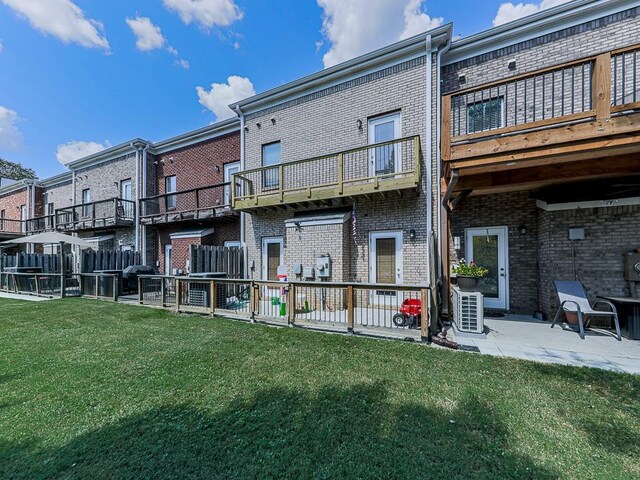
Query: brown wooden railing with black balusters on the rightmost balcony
x: 521, y: 112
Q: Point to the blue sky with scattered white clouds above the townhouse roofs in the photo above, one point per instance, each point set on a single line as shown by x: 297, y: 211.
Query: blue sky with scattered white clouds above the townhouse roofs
x: 75, y: 77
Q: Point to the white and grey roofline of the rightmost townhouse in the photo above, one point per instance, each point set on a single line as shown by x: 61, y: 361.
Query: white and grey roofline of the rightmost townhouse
x: 533, y: 26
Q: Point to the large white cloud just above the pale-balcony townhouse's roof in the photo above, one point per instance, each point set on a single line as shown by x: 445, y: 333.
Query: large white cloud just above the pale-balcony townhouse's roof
x: 354, y: 27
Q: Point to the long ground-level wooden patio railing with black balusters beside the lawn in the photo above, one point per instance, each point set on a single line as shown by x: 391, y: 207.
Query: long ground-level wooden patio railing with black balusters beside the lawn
x: 338, y: 306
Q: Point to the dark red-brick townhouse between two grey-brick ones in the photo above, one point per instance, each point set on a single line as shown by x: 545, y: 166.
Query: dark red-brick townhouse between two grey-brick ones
x: 188, y: 199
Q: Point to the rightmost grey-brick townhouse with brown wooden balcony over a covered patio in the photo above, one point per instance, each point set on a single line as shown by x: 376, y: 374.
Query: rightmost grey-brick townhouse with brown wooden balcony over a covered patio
x: 541, y: 153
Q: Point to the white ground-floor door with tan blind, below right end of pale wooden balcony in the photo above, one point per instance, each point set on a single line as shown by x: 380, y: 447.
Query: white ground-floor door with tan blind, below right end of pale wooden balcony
x: 385, y: 263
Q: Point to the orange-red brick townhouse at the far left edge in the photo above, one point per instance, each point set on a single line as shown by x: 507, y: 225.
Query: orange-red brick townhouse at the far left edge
x: 20, y: 201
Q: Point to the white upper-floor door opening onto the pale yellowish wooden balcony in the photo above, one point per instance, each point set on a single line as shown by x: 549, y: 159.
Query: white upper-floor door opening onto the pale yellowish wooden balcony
x: 386, y: 159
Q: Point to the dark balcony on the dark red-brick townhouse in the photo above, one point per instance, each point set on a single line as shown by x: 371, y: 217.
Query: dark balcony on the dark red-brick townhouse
x: 195, y: 204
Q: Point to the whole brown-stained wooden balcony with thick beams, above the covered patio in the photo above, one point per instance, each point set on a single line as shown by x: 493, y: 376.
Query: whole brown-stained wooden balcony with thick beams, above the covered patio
x: 578, y: 120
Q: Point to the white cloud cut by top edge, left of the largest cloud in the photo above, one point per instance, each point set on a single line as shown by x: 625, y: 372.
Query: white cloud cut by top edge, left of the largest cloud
x: 206, y: 13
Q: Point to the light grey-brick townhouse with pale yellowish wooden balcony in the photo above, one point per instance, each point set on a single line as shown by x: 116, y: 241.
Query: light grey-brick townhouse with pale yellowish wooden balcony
x: 336, y: 169
